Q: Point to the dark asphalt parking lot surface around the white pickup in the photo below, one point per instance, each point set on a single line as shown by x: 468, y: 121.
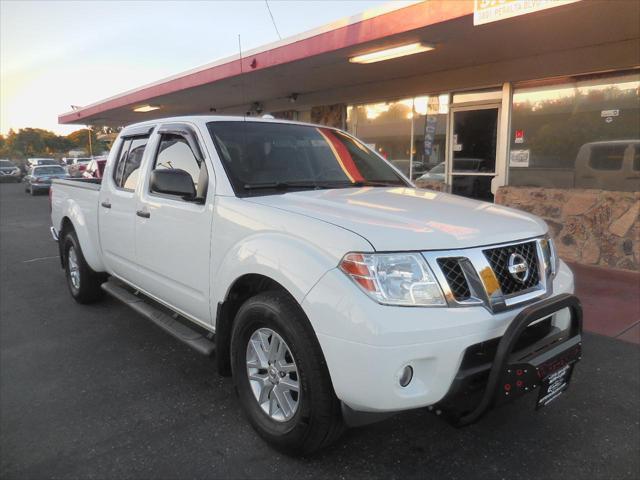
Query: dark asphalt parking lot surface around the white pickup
x: 98, y: 392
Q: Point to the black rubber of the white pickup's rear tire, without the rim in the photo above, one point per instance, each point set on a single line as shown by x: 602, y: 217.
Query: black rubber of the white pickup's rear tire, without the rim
x: 88, y: 288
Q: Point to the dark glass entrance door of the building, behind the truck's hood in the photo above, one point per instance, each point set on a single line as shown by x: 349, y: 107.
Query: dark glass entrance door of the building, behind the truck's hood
x: 471, y: 164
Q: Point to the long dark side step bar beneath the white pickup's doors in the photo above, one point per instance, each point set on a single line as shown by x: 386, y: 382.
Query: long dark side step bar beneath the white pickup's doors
x: 144, y: 307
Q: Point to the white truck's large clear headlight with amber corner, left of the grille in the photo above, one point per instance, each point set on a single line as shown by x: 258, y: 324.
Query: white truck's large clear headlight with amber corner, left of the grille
x: 394, y: 278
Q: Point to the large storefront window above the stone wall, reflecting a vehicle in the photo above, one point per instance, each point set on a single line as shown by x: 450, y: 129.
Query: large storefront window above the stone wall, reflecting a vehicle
x: 583, y: 134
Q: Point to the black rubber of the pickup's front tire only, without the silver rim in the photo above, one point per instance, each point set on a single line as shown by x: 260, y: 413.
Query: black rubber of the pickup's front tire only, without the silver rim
x: 317, y: 422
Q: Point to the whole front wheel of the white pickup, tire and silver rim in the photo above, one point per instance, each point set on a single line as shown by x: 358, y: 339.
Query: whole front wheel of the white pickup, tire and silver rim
x: 281, y: 376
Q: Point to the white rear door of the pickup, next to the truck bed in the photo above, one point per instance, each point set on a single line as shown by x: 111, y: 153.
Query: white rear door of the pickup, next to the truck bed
x: 117, y: 205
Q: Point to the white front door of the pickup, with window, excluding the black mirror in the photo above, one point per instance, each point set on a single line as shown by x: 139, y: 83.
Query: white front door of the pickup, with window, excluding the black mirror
x: 173, y: 234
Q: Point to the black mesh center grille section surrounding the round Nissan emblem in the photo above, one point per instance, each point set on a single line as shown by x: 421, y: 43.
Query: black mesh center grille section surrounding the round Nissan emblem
x: 498, y: 258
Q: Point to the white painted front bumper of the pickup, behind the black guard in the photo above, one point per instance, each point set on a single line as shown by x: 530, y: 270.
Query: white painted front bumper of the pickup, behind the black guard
x: 366, y: 345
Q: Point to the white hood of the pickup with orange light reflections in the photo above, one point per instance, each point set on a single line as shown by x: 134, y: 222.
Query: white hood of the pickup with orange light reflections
x: 395, y: 219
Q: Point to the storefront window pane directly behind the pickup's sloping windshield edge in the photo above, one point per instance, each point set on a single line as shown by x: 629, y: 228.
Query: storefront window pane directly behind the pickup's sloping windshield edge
x: 385, y: 128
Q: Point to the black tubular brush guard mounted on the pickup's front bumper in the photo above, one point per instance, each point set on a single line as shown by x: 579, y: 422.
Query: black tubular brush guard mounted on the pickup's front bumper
x: 514, y: 372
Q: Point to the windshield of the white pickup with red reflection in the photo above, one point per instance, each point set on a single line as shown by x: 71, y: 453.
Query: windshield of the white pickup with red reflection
x: 273, y: 157
